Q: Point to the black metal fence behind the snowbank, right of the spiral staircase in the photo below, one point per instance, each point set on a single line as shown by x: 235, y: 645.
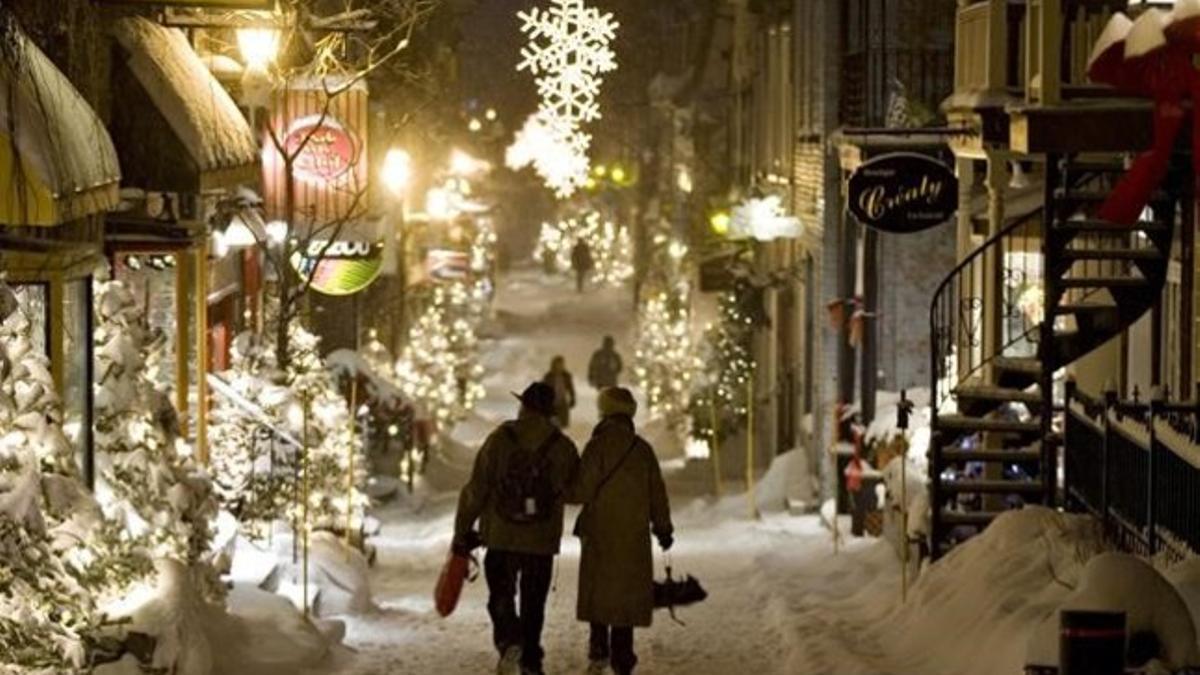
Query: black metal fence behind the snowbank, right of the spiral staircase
x: 1137, y: 468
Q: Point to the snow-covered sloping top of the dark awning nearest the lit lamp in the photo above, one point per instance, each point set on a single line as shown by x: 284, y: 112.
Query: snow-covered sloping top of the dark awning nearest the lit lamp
x: 199, y: 110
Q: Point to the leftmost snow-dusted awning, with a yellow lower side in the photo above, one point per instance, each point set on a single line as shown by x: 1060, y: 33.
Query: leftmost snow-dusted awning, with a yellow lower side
x: 57, y: 160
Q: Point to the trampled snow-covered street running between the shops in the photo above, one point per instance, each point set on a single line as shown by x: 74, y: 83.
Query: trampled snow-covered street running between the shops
x: 755, y: 571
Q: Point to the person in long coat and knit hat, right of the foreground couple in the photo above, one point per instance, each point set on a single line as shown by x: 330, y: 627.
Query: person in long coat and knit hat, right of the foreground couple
x: 626, y: 503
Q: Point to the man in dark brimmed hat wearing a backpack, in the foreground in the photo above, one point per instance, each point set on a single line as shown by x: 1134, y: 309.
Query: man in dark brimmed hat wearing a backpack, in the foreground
x: 517, y: 492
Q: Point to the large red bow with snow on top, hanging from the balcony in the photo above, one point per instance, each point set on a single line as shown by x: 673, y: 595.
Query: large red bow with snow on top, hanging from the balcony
x: 1153, y: 58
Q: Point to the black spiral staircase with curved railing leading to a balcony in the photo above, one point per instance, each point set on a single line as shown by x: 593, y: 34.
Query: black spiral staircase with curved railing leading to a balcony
x: 1058, y: 284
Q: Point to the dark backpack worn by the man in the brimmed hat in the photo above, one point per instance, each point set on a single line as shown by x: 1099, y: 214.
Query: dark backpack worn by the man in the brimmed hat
x: 526, y: 494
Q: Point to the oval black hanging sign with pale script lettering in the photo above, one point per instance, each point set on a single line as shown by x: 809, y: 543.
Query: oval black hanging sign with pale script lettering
x: 904, y: 193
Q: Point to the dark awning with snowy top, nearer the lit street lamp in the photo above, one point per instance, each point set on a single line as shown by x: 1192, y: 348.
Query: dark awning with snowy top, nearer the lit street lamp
x: 195, y: 139
